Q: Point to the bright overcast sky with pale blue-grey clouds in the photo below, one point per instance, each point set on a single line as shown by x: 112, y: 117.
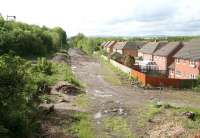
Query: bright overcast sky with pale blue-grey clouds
x: 110, y: 17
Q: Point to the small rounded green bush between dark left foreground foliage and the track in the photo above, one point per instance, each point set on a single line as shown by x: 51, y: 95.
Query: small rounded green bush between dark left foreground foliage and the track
x: 44, y: 66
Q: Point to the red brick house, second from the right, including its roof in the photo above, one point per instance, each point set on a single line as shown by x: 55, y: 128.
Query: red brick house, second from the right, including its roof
x: 163, y: 56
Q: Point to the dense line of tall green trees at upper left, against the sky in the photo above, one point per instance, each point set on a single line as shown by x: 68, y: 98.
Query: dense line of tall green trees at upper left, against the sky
x: 30, y: 40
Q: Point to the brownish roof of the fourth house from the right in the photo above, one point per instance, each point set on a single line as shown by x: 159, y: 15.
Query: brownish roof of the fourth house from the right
x: 134, y: 45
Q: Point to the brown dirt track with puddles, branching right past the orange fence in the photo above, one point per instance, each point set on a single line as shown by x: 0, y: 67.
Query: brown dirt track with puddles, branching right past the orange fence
x: 101, y: 92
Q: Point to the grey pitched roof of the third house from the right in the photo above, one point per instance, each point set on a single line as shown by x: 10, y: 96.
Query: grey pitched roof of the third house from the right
x: 151, y: 47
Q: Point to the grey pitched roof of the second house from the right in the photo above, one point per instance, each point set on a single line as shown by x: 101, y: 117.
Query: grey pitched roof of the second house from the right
x: 167, y: 49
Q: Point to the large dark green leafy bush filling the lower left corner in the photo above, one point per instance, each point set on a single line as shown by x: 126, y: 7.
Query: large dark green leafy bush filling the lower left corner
x: 16, y: 95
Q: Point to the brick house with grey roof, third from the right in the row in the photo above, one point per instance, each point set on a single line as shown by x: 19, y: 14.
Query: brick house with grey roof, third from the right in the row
x: 146, y: 52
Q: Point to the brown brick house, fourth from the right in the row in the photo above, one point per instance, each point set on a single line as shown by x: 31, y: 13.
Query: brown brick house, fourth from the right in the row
x: 131, y: 48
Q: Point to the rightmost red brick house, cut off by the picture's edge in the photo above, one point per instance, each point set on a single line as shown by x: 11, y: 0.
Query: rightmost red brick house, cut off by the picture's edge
x: 187, y: 61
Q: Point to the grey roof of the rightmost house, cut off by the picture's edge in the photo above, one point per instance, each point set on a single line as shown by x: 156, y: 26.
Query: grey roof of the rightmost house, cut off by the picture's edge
x: 190, y: 50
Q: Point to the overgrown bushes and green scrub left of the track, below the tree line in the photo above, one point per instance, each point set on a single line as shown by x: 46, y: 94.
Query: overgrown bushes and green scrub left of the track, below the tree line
x: 20, y: 83
